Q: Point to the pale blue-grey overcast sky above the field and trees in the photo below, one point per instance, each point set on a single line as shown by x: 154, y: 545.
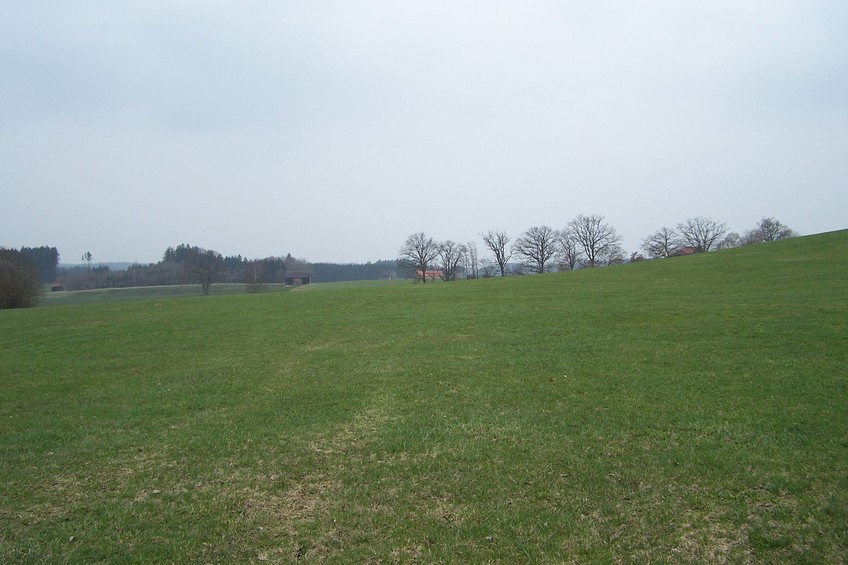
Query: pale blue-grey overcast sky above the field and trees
x: 333, y: 130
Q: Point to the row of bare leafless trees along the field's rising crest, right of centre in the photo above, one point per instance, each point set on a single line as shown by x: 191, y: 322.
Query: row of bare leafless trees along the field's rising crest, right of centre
x: 586, y: 241
